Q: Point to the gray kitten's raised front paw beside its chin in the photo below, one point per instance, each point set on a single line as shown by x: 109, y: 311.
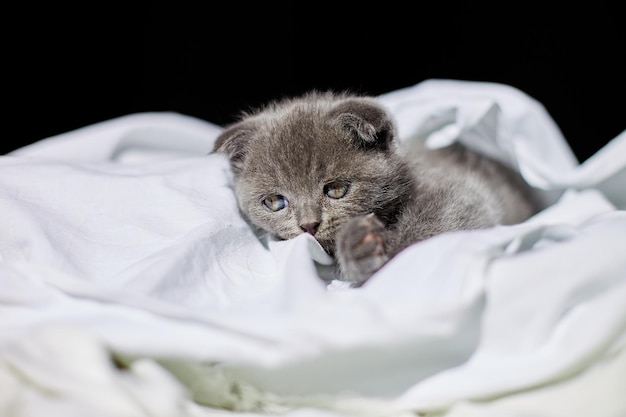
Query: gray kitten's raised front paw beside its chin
x: 361, y: 248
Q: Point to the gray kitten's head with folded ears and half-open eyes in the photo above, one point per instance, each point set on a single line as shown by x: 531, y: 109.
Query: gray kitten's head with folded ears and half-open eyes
x: 308, y: 164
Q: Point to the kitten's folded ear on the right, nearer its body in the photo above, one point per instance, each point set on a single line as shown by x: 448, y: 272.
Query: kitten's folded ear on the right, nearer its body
x: 368, y: 121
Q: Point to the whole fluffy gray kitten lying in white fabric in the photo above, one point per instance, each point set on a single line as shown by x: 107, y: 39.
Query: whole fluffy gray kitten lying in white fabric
x: 329, y: 164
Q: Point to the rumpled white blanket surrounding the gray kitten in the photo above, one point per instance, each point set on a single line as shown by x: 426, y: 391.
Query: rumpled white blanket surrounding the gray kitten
x: 131, y: 286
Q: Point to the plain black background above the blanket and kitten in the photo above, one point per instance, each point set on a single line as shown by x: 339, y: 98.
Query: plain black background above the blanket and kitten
x: 70, y: 67
